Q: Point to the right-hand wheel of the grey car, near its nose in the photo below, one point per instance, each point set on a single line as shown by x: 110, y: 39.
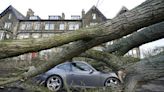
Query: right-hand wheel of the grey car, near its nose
x: 111, y: 81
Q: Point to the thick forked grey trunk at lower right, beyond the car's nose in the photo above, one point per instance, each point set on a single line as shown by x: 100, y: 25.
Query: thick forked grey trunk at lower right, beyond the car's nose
x: 144, y: 70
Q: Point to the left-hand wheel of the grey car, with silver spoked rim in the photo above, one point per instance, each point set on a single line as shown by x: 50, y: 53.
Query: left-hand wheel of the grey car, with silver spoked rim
x: 54, y: 83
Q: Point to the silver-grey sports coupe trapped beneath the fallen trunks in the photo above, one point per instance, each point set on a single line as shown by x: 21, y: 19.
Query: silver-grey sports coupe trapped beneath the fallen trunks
x: 76, y: 74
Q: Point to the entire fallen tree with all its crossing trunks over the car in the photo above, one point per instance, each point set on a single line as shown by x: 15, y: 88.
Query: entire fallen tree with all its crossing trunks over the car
x: 149, y: 15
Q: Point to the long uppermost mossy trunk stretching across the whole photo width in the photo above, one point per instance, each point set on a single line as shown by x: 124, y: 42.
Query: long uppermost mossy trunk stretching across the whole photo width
x: 147, y: 13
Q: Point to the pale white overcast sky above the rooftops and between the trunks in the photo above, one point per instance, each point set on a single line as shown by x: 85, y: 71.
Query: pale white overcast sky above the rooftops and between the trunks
x: 43, y: 8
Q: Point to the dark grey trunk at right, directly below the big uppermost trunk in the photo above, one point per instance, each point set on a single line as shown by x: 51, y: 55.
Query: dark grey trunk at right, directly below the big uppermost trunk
x: 145, y: 35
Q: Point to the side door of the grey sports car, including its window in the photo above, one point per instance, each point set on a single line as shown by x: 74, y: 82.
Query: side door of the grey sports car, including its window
x: 83, y: 75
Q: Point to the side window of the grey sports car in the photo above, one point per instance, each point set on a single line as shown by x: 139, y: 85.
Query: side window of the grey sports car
x: 80, y: 67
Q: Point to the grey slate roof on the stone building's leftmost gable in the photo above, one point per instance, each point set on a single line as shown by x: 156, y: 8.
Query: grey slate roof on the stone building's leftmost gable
x: 17, y: 14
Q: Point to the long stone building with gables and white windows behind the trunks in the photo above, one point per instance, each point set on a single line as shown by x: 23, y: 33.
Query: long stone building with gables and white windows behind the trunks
x: 14, y: 25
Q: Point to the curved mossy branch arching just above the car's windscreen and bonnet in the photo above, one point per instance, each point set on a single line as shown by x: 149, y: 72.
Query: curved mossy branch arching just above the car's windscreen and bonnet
x: 112, y: 61
